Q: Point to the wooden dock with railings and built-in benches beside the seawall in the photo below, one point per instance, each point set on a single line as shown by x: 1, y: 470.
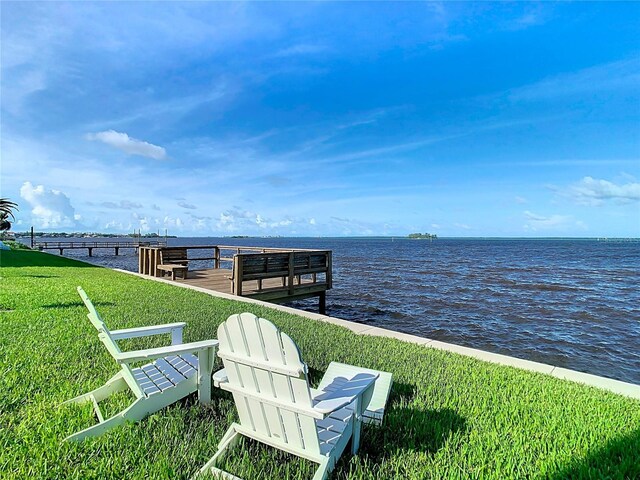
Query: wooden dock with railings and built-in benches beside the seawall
x: 273, y: 275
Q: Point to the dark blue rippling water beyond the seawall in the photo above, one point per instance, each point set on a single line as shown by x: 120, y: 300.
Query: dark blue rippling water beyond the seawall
x: 570, y: 303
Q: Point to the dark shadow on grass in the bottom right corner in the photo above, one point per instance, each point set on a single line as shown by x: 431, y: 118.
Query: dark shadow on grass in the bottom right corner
x: 619, y: 458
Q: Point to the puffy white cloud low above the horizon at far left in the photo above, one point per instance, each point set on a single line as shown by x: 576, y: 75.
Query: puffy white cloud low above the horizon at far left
x: 50, y: 208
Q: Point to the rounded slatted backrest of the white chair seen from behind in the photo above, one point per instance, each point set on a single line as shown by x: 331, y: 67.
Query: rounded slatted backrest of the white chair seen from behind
x: 265, y: 362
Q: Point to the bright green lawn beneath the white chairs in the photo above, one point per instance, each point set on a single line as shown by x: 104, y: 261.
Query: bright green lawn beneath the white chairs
x: 449, y: 416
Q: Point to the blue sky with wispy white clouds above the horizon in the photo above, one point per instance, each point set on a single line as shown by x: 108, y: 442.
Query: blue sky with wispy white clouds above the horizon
x: 460, y: 119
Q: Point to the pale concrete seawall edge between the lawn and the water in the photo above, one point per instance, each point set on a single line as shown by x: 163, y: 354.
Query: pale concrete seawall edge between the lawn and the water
x: 615, y: 386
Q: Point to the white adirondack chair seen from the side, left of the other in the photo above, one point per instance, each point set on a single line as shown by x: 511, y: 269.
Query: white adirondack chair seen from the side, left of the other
x: 175, y: 372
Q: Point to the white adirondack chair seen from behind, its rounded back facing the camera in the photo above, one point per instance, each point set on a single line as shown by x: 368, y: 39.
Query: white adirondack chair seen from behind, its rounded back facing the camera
x: 268, y: 380
